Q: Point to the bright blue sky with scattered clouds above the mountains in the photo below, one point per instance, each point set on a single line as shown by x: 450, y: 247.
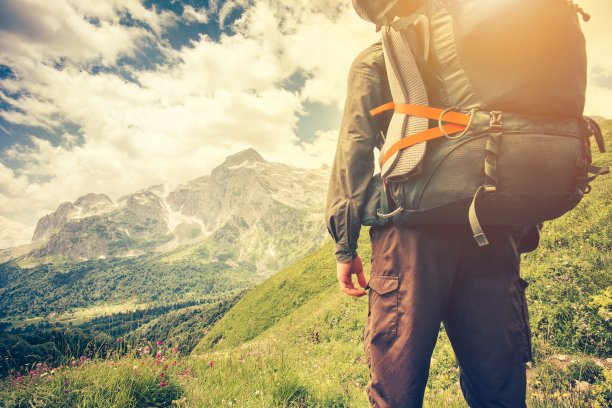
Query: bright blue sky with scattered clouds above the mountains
x: 111, y: 96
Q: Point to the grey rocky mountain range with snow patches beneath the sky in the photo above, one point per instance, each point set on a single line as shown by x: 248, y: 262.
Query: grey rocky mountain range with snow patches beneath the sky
x: 248, y: 209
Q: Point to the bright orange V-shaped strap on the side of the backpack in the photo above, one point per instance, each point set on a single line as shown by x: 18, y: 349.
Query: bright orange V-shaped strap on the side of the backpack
x: 457, y: 122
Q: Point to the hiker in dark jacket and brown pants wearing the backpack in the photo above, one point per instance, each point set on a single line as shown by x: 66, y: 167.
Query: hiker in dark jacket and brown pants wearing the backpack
x: 426, y: 274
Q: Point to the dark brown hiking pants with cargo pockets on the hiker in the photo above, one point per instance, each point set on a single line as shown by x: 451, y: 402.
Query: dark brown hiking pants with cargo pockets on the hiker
x: 425, y: 275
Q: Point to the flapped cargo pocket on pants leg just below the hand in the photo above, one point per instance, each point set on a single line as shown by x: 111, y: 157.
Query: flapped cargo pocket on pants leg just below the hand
x: 383, y: 304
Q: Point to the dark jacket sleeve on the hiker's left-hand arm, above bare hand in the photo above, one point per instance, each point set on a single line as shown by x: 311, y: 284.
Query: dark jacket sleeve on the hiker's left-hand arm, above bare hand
x: 353, y: 165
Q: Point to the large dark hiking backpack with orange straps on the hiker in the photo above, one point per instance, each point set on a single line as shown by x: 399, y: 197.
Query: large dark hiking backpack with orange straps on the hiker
x: 487, y: 125
